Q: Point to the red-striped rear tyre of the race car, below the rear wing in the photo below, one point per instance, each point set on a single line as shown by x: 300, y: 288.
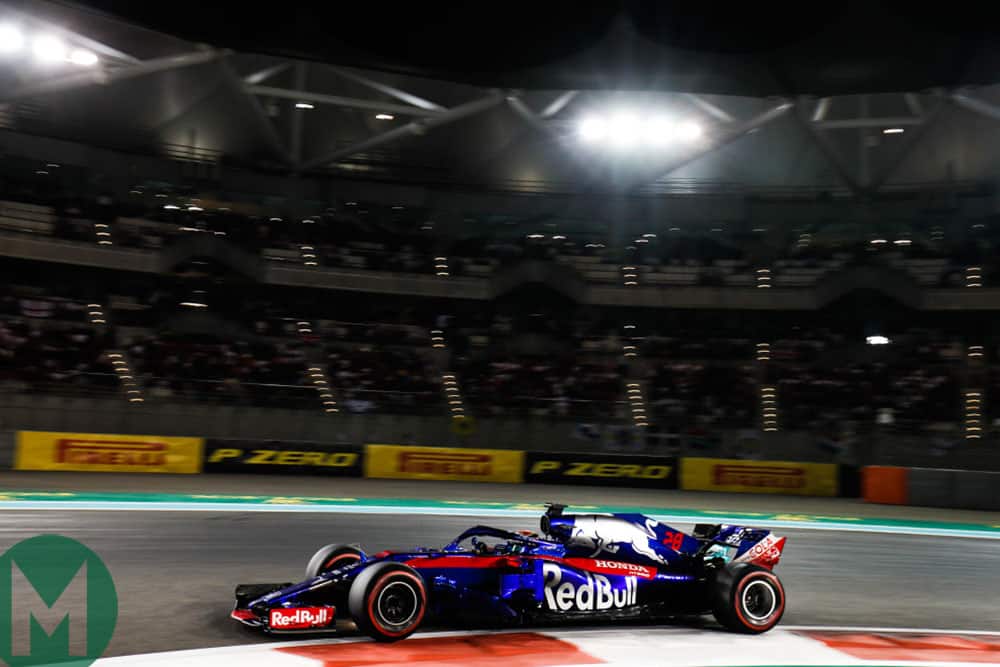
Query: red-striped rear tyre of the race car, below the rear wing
x: 748, y: 599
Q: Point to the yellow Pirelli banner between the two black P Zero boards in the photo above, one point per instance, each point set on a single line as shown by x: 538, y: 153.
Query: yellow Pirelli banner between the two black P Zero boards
x: 444, y: 463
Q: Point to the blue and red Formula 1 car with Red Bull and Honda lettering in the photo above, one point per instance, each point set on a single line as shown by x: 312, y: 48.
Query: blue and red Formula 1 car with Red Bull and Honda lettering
x: 586, y: 567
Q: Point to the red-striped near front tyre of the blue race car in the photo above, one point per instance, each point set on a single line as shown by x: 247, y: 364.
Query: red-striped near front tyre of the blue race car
x: 388, y: 601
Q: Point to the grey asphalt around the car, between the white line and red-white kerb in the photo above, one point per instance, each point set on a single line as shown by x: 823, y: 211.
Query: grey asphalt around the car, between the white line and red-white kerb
x: 175, y: 571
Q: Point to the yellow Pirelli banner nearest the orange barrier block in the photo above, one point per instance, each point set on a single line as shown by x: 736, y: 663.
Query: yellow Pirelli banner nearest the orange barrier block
x: 741, y: 476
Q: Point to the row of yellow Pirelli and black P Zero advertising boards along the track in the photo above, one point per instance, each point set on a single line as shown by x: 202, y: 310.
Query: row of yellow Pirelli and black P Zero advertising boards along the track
x: 36, y: 450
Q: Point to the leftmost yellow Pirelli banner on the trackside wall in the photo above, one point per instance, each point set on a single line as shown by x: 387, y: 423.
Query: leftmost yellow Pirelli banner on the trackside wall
x: 99, y: 452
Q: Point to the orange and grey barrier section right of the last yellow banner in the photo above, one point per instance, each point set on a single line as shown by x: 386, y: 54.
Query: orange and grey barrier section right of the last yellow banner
x: 931, y: 487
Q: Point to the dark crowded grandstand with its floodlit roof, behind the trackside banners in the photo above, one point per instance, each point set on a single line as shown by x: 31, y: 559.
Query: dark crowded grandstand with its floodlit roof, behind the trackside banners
x: 295, y: 248
